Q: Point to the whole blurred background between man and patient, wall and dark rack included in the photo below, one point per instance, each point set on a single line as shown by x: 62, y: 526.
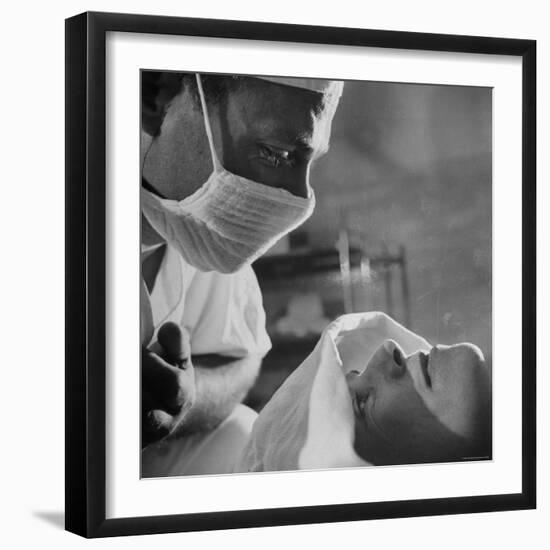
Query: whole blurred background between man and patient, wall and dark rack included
x: 402, y: 225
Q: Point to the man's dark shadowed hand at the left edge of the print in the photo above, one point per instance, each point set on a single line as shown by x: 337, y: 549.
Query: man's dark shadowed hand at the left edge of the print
x: 167, y: 384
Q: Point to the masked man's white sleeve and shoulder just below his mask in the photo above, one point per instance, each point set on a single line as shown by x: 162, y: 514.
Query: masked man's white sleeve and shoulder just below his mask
x: 223, y: 313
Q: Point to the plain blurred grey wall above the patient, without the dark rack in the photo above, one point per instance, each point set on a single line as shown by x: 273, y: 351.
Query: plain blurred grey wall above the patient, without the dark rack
x: 411, y: 165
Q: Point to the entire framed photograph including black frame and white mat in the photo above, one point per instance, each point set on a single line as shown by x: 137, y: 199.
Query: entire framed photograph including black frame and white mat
x: 301, y: 266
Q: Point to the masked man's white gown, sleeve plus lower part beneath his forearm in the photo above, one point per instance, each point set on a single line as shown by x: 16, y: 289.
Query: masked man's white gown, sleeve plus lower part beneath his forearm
x: 224, y: 314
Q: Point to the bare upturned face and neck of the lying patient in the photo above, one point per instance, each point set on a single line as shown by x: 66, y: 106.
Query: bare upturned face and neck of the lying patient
x: 421, y: 408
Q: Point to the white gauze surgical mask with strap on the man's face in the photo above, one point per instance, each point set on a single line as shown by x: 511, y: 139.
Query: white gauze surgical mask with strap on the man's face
x: 228, y: 222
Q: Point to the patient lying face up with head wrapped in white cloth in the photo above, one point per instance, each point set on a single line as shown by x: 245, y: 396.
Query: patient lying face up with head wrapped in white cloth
x: 374, y: 393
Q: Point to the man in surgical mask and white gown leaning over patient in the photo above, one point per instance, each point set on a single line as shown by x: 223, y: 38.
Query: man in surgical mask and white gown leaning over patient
x: 225, y: 165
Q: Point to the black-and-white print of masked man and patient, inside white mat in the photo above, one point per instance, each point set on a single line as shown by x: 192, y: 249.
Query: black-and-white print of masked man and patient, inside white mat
x: 316, y: 274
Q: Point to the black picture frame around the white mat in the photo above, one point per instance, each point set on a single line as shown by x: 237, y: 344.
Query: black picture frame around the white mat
x: 86, y: 268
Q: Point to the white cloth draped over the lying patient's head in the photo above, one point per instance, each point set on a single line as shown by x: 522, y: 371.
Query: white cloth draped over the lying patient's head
x: 309, y: 422
